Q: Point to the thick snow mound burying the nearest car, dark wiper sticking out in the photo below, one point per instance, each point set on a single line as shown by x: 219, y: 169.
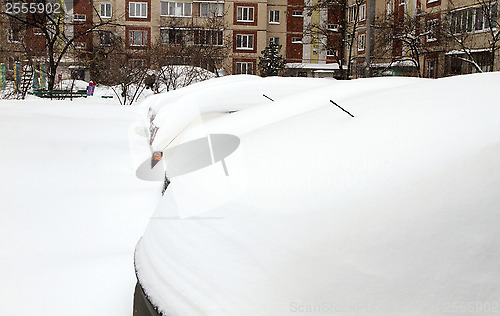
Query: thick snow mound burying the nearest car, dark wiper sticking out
x: 393, y: 212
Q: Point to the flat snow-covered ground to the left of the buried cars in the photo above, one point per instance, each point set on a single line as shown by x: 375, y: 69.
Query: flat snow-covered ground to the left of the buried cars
x: 71, y: 208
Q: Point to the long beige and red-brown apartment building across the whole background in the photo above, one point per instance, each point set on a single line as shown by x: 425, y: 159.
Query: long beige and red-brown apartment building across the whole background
x: 251, y: 24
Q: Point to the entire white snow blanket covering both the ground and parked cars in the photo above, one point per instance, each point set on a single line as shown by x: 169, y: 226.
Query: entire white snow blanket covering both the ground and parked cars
x: 393, y: 212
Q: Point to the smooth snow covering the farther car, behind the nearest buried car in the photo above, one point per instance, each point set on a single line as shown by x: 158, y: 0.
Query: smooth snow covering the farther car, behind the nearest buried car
x: 290, y: 96
